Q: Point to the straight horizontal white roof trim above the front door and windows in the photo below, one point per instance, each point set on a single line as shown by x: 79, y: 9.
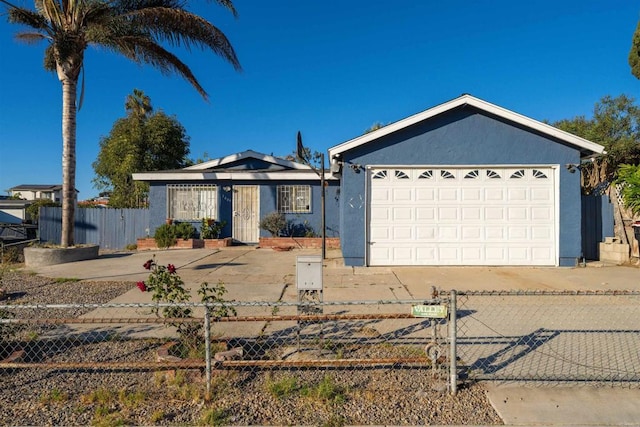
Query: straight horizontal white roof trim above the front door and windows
x: 235, y: 176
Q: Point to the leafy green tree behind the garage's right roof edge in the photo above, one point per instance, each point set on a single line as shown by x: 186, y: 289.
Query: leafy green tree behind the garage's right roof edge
x: 616, y: 126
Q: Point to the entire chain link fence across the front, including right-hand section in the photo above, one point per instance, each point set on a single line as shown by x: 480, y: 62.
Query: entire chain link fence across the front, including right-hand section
x: 538, y: 337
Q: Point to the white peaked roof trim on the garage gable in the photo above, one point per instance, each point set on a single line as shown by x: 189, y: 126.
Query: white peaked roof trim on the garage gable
x: 475, y: 102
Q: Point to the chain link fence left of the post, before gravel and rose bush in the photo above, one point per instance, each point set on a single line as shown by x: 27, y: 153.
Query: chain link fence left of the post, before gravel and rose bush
x: 361, y: 336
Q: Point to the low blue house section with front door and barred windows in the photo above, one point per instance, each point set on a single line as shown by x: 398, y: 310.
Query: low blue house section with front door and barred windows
x: 241, y: 189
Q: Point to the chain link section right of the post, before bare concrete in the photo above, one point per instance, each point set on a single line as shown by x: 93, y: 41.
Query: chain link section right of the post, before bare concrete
x: 550, y: 337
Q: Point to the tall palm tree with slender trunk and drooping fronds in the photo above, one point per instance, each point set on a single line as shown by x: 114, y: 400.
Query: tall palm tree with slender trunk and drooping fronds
x: 137, y: 29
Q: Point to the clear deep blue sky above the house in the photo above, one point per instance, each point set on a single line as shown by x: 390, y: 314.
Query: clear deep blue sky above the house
x: 330, y: 69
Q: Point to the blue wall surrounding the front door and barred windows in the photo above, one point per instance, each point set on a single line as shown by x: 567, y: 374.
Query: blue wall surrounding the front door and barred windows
x: 268, y: 204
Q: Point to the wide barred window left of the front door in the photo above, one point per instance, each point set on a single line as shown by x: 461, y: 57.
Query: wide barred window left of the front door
x: 187, y: 201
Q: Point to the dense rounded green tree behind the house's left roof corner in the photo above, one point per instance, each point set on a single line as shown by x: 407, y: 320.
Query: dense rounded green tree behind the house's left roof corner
x: 141, y: 141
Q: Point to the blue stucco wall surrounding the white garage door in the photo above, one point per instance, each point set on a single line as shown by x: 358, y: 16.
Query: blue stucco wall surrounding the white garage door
x: 460, y: 137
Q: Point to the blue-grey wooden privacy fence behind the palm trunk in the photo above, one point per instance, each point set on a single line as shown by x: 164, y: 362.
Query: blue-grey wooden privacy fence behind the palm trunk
x: 109, y: 228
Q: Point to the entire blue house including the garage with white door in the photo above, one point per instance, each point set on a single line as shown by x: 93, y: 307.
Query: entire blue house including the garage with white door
x: 464, y: 183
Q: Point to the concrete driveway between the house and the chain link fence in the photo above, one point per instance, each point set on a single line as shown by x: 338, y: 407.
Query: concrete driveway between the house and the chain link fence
x: 251, y: 269
